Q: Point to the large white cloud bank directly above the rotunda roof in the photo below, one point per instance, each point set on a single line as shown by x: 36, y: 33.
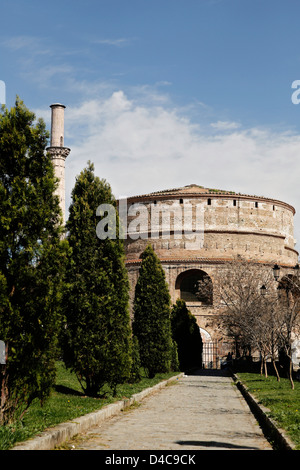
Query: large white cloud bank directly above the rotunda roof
x: 139, y: 147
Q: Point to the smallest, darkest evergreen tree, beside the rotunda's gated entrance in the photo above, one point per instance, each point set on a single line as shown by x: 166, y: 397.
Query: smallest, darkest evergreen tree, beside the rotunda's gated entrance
x: 186, y: 333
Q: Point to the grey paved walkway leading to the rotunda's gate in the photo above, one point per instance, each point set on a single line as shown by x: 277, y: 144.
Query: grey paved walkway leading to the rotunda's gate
x: 201, y: 411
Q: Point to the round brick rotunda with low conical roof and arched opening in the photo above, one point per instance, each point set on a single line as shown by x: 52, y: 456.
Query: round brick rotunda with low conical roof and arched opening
x: 195, y: 231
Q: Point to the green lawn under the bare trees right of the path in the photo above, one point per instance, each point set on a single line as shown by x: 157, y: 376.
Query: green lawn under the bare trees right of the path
x: 279, y: 398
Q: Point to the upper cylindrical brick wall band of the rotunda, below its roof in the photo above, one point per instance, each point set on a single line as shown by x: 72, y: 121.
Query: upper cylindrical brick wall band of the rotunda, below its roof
x: 263, y: 233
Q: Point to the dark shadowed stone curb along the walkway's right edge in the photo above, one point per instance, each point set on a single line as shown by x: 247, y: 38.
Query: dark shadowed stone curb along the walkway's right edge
x: 276, y: 435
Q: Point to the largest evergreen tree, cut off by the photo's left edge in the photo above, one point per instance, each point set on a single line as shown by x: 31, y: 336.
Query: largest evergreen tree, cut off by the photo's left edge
x: 32, y: 259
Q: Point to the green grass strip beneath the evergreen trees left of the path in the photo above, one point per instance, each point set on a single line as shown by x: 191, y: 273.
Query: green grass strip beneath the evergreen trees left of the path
x: 67, y: 402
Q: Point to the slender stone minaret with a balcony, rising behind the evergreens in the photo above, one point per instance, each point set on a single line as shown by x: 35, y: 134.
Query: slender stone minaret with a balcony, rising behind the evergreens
x: 58, y: 152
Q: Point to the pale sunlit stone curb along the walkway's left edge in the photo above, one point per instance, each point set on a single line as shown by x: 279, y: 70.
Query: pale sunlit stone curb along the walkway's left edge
x: 57, y: 435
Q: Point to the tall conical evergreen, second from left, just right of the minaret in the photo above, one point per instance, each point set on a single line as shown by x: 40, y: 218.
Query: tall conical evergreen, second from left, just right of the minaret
x: 98, y: 334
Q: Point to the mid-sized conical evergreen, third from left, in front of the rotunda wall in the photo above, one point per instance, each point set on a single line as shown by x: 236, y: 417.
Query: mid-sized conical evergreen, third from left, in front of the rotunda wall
x: 151, y: 323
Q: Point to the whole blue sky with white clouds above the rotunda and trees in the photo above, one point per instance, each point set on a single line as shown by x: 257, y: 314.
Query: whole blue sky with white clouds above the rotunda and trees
x: 161, y: 94
